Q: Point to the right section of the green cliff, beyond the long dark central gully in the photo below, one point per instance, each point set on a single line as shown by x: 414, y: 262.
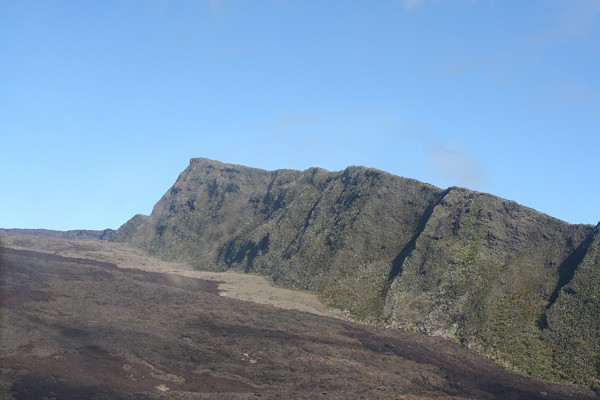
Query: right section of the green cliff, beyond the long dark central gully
x: 499, y: 278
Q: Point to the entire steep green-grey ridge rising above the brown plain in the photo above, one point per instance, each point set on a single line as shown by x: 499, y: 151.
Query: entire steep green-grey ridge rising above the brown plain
x: 506, y: 280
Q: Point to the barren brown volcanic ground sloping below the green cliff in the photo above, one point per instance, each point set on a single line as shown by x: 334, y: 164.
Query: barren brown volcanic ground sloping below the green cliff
x: 84, y: 324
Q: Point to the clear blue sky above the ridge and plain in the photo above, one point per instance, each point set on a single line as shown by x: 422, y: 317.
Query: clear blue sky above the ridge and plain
x: 103, y: 103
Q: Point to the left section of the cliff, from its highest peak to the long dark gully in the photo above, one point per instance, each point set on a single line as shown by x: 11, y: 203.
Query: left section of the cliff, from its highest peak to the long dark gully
x: 336, y: 233
